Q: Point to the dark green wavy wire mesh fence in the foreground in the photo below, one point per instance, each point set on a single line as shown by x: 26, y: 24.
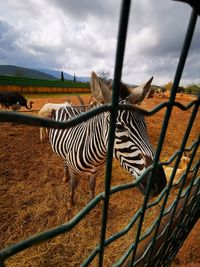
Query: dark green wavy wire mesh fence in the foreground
x: 162, y: 240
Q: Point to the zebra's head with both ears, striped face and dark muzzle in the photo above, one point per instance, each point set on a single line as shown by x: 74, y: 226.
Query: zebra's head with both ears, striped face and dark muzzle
x: 132, y: 146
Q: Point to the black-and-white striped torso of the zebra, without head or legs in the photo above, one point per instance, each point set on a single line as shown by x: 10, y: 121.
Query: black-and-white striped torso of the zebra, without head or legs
x: 83, y: 146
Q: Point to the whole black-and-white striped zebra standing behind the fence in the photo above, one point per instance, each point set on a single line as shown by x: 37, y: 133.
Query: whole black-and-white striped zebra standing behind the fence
x: 84, y: 146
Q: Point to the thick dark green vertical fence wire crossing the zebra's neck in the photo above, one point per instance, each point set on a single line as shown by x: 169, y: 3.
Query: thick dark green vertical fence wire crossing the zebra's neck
x: 115, y: 95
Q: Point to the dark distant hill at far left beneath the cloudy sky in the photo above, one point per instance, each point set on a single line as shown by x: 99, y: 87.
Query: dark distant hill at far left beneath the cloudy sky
x: 10, y: 70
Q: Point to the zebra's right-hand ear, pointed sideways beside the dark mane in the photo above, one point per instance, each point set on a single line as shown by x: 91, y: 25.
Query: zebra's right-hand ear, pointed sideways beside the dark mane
x: 139, y: 93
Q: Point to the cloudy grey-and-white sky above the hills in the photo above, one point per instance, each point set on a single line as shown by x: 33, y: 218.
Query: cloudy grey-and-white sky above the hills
x: 78, y: 36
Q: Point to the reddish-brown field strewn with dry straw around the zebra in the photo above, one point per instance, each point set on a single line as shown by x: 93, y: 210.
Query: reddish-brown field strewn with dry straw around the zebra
x: 33, y: 196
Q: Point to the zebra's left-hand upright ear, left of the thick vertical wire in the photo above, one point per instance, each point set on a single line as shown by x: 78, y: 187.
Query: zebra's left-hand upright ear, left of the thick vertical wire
x: 100, y: 91
